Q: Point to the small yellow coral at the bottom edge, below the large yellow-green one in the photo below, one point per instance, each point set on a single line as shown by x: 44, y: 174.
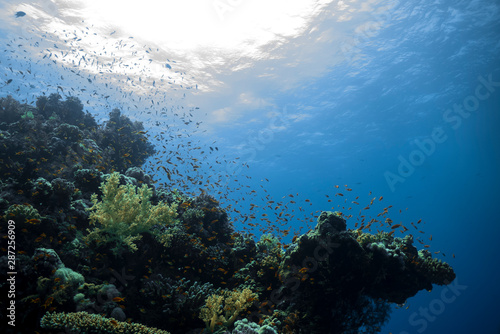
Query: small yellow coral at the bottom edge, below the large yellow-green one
x: 231, y: 303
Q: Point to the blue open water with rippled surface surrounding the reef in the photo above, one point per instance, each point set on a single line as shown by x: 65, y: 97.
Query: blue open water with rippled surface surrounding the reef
x: 413, y: 86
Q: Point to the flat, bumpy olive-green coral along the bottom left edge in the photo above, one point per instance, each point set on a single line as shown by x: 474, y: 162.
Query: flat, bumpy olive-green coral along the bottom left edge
x: 85, y: 322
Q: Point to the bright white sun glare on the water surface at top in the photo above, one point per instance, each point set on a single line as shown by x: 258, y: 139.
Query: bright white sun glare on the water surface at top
x: 187, y: 25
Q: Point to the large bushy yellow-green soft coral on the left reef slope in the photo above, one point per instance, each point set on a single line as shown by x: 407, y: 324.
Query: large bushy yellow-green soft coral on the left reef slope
x: 125, y: 212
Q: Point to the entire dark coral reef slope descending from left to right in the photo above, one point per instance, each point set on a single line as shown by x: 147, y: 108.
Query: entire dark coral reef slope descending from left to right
x: 102, y: 249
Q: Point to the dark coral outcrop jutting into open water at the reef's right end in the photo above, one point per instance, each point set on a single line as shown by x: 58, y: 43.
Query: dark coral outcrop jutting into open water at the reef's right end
x: 330, y: 272
